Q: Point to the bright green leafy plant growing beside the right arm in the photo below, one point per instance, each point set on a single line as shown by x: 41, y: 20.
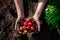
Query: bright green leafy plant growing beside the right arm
x: 52, y: 13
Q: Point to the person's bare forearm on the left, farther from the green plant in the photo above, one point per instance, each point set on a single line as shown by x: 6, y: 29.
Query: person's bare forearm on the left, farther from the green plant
x: 19, y: 7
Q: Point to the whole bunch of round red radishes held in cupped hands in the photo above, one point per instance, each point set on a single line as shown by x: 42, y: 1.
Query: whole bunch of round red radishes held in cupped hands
x: 27, y: 25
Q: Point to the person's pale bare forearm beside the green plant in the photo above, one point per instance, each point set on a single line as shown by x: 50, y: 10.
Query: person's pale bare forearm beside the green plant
x: 39, y: 9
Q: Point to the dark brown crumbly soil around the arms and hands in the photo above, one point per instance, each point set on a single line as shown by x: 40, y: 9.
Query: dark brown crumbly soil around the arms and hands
x: 8, y: 16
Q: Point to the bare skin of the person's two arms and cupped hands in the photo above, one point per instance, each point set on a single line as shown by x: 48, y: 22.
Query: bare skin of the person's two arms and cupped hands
x: 20, y: 11
